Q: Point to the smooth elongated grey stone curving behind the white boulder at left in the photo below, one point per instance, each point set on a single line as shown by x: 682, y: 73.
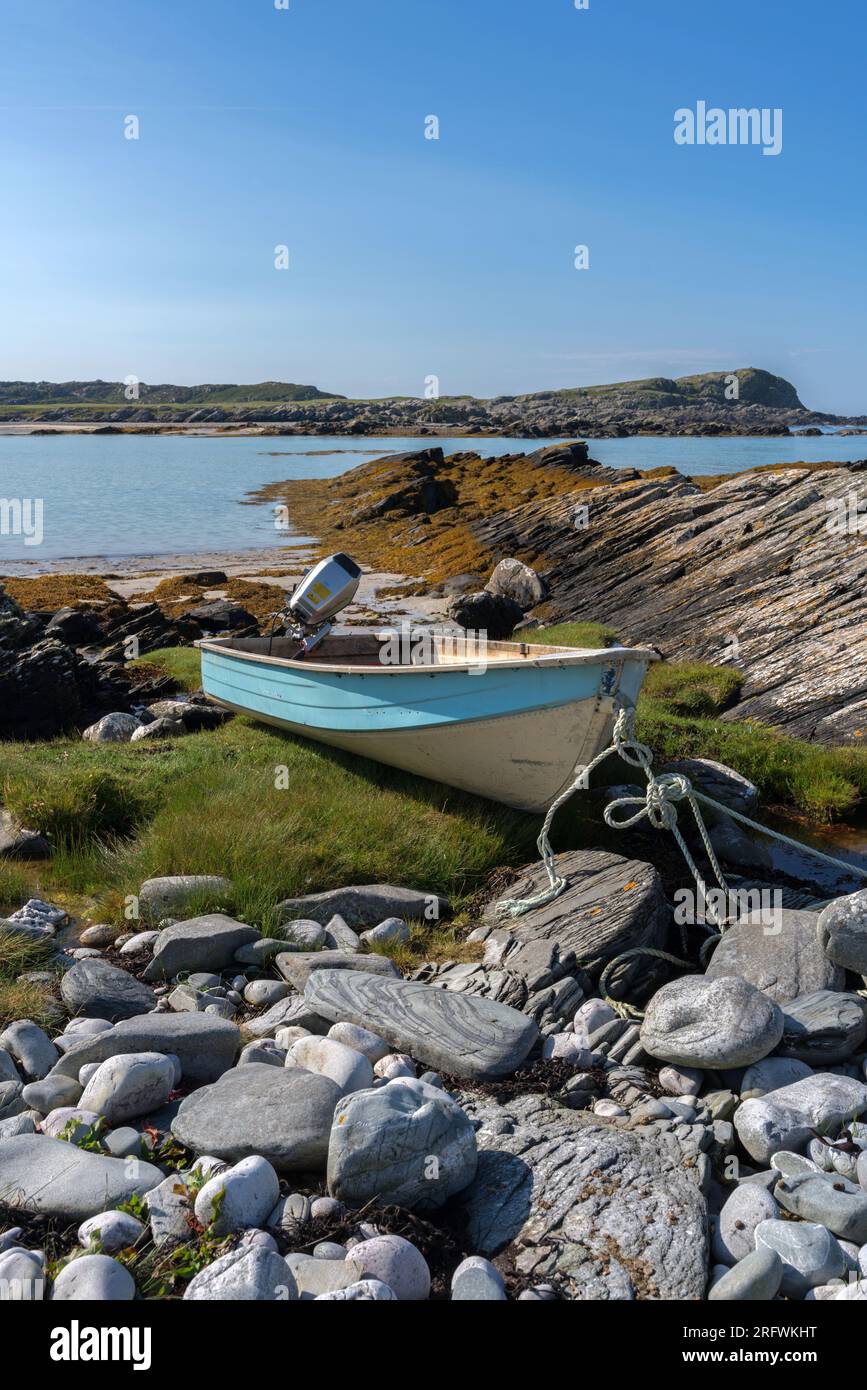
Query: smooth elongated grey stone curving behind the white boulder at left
x: 205, y: 1045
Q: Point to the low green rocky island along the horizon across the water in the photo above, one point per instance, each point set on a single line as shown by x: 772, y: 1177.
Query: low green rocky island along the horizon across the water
x: 745, y: 401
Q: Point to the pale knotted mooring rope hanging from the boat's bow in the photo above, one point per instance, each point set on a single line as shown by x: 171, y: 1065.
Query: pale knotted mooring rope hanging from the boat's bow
x: 659, y: 807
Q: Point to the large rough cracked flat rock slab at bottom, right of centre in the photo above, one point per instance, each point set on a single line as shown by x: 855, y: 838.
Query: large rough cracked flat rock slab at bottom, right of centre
x: 606, y: 1214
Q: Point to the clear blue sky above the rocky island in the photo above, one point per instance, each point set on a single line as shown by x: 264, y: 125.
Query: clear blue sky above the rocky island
x: 413, y: 258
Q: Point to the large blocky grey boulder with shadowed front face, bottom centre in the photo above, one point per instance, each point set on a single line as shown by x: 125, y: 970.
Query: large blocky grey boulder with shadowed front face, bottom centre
x: 406, y: 1143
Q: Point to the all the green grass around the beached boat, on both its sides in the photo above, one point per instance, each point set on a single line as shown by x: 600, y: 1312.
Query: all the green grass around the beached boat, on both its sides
x: 283, y: 818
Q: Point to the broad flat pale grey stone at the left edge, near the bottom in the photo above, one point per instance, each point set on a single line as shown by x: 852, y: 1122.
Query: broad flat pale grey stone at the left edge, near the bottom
x: 58, y: 1179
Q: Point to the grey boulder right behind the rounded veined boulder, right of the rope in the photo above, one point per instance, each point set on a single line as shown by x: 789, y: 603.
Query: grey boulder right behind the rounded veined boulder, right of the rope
x: 782, y: 957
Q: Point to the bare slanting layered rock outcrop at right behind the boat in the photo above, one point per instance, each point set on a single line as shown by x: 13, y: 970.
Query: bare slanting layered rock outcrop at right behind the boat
x: 765, y: 571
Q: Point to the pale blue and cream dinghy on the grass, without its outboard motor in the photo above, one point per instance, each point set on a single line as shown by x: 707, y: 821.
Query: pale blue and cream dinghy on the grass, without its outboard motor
x: 513, y: 722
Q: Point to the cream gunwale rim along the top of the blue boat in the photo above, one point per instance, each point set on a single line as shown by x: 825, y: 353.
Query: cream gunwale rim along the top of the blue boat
x: 550, y: 657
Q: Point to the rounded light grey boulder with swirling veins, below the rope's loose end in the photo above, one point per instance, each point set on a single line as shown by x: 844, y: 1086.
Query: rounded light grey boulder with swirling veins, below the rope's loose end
x: 711, y: 1024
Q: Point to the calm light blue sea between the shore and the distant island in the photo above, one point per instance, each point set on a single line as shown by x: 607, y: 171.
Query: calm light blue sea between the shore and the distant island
x: 120, y: 497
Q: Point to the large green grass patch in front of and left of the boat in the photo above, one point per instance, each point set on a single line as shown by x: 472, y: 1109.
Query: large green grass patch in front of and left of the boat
x: 276, y: 815
